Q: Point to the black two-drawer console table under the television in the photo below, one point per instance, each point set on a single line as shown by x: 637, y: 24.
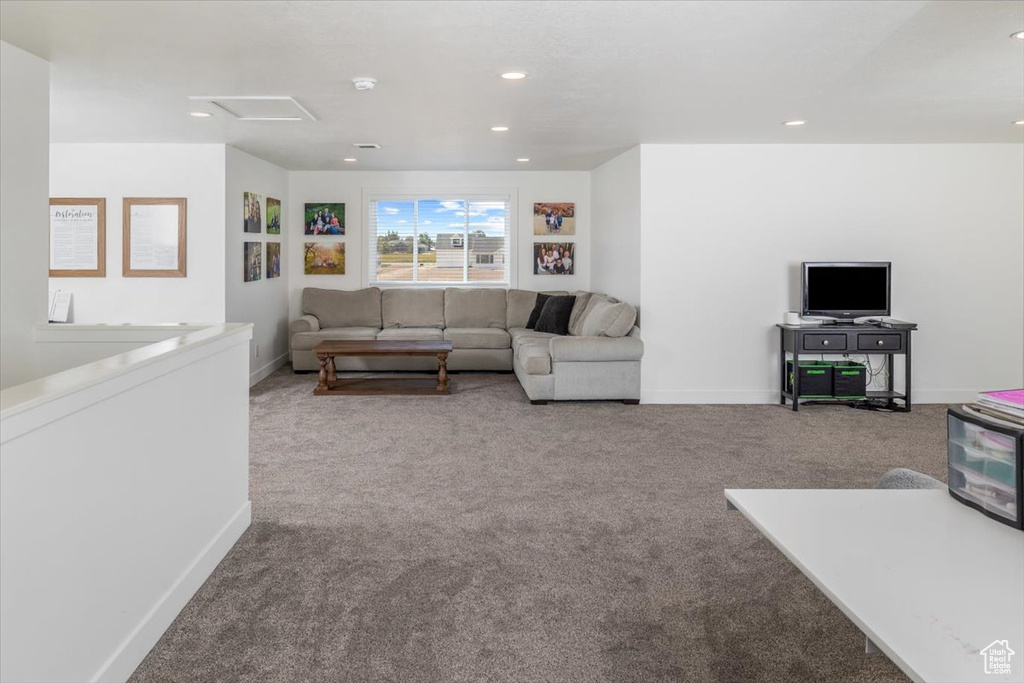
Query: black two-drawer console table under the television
x: 851, y: 339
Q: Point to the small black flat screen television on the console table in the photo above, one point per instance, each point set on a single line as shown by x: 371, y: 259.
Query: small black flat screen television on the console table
x: 846, y: 290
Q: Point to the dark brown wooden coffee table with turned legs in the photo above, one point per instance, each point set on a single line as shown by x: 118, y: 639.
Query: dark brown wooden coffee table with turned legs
x: 330, y: 386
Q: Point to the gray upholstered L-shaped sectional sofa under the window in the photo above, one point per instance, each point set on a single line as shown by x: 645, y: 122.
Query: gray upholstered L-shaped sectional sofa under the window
x: 599, y: 360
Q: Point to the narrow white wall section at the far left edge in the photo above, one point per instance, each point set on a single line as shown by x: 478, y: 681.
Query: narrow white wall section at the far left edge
x: 25, y: 138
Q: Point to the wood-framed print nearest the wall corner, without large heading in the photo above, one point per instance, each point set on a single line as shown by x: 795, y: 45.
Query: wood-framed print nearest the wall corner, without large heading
x: 154, y: 244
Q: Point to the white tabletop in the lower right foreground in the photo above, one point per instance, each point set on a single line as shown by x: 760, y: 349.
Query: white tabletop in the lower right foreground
x: 930, y: 581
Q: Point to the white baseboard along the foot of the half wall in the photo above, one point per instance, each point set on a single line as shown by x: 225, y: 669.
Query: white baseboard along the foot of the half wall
x: 135, y: 649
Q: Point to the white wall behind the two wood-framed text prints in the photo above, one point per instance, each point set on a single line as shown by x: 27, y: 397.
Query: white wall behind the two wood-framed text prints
x: 117, y: 172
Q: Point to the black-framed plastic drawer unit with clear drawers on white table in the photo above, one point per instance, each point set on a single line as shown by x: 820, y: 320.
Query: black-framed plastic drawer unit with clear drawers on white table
x: 986, y: 466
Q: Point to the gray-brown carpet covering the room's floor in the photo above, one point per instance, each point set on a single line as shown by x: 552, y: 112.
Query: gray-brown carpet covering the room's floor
x: 478, y: 538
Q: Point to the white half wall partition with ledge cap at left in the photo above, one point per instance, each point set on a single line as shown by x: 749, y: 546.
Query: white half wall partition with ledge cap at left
x: 123, y: 484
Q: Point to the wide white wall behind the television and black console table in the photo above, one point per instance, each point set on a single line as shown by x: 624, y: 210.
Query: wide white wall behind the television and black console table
x: 727, y: 227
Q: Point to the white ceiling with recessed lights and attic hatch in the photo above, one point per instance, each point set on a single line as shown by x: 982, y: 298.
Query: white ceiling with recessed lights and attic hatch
x: 605, y: 76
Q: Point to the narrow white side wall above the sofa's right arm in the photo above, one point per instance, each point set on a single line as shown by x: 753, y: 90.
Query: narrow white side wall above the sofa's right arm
x: 615, y: 201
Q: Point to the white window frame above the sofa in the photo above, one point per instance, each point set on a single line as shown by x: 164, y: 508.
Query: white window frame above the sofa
x: 507, y: 195
